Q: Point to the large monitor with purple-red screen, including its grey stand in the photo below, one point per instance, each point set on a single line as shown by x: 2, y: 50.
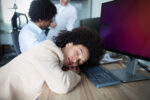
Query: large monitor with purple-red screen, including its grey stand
x: 125, y: 28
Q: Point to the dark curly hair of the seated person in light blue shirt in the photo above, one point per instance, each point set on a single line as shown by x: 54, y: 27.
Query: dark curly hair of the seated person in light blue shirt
x: 42, y: 9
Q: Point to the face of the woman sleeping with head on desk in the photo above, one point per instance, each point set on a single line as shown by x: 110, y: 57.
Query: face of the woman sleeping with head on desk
x: 75, y: 55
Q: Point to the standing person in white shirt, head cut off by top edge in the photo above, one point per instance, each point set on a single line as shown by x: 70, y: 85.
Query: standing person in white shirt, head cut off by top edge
x: 64, y: 20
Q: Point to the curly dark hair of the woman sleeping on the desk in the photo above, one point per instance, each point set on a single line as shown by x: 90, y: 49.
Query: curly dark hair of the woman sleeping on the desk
x: 87, y: 37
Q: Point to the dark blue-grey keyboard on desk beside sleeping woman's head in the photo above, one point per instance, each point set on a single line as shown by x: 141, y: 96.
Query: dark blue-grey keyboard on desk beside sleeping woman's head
x: 100, y: 77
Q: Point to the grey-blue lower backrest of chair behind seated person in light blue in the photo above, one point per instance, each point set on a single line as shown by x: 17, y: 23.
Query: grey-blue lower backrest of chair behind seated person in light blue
x: 15, y: 35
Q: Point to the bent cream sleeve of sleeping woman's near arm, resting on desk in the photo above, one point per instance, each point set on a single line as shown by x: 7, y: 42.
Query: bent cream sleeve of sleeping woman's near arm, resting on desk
x: 60, y: 81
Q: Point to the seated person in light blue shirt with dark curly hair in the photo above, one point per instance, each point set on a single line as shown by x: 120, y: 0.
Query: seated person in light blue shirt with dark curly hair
x: 41, y: 13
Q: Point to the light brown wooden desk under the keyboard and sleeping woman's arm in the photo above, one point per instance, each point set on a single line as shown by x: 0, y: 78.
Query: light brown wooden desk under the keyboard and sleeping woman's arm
x: 139, y: 90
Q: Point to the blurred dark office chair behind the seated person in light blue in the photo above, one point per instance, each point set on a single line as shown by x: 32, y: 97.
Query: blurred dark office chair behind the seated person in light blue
x: 17, y: 25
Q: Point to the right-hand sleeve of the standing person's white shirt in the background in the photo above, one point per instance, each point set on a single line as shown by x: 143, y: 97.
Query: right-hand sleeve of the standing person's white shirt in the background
x: 71, y: 20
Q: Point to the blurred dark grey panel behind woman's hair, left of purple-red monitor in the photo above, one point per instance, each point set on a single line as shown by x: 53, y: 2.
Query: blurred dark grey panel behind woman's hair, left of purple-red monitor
x: 93, y: 23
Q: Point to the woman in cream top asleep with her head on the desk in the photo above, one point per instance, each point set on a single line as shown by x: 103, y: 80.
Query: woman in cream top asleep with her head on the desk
x: 23, y: 78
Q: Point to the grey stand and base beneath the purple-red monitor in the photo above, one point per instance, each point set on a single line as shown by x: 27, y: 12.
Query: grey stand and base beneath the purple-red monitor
x: 129, y: 73
